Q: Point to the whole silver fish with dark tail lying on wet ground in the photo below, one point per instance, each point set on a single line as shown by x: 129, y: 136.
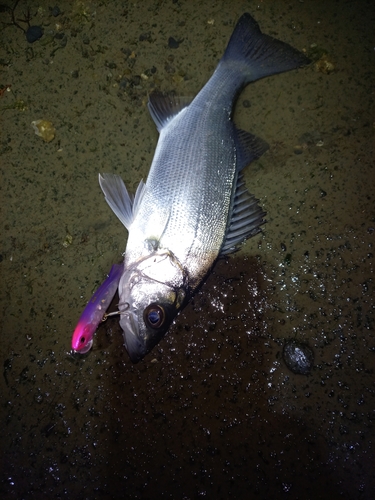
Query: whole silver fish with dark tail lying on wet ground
x: 194, y: 206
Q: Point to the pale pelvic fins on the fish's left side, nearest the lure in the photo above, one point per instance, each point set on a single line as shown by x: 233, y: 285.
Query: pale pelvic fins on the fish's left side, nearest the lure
x: 125, y: 206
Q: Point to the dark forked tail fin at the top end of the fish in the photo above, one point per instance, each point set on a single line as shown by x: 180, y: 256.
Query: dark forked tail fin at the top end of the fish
x: 260, y: 55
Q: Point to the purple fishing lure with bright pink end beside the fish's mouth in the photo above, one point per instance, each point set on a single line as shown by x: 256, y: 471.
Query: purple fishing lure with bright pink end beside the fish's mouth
x: 83, y: 336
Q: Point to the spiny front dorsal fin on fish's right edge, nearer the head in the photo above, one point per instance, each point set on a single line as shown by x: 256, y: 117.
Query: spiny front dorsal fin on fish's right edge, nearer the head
x: 245, y: 219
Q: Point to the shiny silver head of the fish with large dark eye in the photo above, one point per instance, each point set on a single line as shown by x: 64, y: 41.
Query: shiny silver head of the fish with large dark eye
x: 152, y: 292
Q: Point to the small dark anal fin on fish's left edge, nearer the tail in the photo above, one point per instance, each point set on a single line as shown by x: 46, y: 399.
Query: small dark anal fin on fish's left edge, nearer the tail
x: 164, y: 107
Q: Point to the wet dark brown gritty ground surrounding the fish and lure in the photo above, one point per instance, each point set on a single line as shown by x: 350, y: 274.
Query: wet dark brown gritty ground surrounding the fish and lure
x: 213, y: 411
